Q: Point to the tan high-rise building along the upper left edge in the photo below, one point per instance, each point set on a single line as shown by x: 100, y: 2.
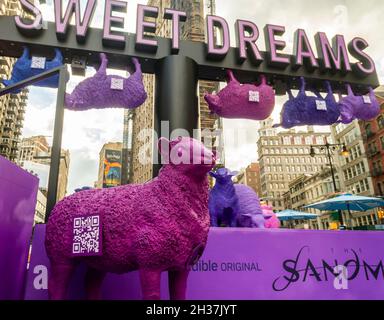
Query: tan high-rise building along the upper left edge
x: 12, y: 106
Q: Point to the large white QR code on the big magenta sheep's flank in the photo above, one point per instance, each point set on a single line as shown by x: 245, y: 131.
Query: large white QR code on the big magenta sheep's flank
x: 86, y: 236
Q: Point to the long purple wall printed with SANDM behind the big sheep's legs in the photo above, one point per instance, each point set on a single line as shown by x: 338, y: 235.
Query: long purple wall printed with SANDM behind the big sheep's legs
x: 249, y: 264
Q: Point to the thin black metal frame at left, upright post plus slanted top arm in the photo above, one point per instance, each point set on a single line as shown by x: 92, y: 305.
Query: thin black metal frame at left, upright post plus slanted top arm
x: 57, y: 131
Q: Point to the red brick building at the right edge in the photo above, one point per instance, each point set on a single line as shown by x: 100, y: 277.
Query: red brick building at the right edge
x: 373, y: 138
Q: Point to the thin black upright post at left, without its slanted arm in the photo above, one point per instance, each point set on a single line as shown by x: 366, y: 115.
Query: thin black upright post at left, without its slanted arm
x: 56, y: 144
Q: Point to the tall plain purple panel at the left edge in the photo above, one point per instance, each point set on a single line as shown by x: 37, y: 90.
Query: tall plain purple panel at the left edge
x: 18, y: 192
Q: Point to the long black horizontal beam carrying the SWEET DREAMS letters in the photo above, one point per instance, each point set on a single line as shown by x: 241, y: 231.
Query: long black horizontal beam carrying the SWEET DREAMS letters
x: 11, y: 42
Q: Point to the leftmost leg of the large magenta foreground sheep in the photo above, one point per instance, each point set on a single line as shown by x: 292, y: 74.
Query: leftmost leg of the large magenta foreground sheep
x: 59, y: 280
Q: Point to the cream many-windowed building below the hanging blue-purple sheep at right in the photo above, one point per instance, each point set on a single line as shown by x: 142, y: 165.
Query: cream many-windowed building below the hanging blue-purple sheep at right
x: 284, y: 157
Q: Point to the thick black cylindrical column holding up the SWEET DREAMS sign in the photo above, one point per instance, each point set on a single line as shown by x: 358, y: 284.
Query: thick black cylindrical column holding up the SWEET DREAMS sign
x: 176, y: 98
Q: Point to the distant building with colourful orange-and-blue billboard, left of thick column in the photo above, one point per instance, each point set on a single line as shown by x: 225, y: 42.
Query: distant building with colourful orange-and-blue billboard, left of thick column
x: 110, y: 164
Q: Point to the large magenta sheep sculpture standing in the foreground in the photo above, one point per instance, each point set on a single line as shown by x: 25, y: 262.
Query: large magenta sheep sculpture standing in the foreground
x: 158, y: 226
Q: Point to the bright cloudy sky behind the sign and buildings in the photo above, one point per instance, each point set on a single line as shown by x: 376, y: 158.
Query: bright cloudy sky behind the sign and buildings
x: 86, y: 132
